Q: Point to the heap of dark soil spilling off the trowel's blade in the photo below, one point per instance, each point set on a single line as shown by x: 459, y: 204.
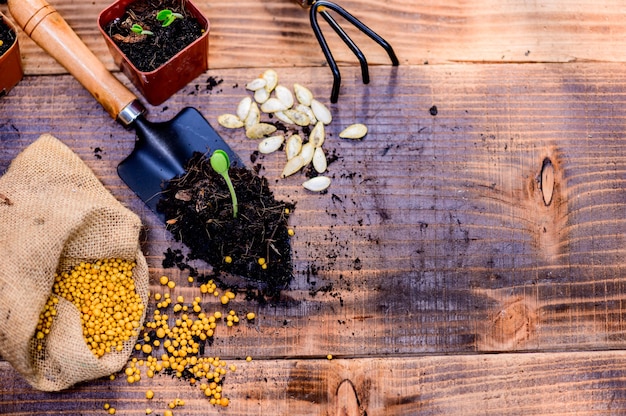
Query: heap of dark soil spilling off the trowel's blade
x: 255, y: 245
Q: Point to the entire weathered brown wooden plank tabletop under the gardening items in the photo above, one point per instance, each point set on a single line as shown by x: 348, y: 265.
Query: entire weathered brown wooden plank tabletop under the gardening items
x: 433, y: 271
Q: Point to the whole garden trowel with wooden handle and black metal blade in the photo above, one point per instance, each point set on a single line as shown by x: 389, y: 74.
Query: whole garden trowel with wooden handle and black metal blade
x: 162, y: 148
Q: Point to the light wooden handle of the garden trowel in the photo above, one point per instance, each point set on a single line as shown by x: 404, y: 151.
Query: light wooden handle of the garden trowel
x: 48, y: 29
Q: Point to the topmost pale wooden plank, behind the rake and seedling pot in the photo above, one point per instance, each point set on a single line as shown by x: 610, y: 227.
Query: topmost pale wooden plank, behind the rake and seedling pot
x: 255, y: 33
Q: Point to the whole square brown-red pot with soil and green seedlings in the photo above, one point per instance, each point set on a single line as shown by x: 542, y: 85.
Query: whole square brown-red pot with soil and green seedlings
x: 162, y: 64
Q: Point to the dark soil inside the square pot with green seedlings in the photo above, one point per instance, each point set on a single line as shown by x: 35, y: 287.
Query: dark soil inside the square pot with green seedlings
x: 148, y: 52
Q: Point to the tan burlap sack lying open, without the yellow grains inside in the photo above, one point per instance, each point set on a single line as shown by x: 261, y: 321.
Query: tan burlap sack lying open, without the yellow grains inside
x: 54, y: 213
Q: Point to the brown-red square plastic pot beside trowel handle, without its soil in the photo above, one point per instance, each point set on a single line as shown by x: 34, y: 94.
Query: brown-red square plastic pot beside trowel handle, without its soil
x: 159, y: 85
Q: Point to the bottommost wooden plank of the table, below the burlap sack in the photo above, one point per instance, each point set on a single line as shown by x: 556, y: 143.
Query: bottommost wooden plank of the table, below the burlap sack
x: 500, y: 384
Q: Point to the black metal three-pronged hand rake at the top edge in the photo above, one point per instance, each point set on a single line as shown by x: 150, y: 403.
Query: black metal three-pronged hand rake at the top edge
x: 322, y: 7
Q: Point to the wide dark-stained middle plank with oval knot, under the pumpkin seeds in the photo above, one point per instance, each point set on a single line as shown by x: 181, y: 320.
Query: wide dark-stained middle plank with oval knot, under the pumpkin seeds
x: 434, y: 237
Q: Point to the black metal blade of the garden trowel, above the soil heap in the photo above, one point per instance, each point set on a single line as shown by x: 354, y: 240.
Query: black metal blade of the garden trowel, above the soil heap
x: 163, y: 148
